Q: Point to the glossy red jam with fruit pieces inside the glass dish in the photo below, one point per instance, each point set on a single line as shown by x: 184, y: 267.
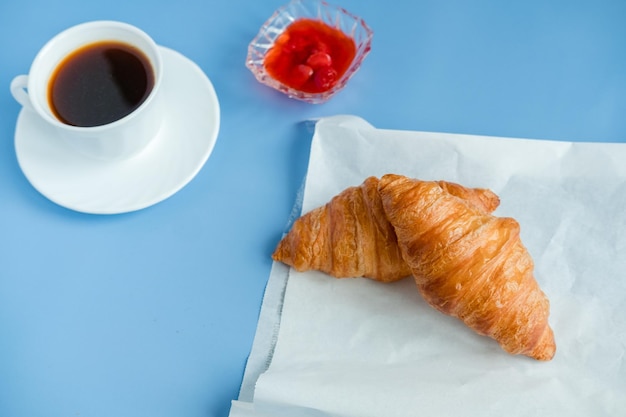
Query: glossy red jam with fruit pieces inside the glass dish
x: 310, y: 56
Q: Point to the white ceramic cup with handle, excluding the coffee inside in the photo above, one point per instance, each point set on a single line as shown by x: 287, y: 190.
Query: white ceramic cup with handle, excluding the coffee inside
x: 119, y: 139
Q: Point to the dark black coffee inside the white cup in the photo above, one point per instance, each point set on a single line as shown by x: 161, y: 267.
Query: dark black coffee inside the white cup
x: 99, y: 84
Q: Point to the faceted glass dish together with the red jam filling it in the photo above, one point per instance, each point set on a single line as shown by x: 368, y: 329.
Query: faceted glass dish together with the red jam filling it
x: 309, y: 49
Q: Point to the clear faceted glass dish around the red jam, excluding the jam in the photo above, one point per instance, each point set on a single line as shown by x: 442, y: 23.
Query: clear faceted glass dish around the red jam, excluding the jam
x: 335, y: 17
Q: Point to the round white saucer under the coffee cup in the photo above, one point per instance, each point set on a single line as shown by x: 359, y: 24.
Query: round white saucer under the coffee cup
x: 170, y: 161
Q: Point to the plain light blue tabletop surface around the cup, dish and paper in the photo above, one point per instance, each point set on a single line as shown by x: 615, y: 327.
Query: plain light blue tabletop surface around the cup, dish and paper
x: 153, y: 313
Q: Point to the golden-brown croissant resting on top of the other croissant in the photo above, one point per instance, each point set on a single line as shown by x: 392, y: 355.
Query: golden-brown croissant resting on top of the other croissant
x: 469, y: 264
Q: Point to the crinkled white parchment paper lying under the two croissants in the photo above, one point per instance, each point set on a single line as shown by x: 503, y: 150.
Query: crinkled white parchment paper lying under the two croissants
x: 359, y: 348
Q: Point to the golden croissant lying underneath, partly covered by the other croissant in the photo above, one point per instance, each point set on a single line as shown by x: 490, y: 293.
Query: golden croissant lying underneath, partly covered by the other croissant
x: 350, y: 236
